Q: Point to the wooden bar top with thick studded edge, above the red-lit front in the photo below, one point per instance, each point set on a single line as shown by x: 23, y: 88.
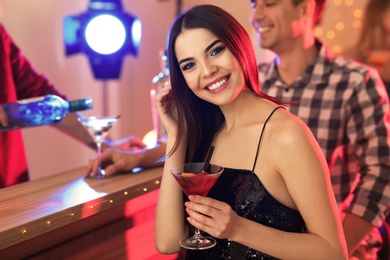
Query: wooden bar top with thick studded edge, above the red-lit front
x: 43, y: 213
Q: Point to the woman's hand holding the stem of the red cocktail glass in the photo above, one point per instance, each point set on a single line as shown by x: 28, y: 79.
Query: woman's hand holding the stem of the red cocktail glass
x: 212, y: 216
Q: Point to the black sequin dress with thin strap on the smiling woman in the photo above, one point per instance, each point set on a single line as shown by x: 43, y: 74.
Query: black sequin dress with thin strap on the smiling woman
x: 245, y: 193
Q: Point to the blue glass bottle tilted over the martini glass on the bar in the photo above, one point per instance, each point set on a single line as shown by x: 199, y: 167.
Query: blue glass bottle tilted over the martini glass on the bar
x: 39, y: 111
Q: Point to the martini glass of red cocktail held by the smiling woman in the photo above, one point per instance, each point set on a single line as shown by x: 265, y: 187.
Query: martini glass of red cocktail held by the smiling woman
x: 195, y: 181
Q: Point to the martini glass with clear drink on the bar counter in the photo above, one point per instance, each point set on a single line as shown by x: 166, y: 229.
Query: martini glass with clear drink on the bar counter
x: 98, y: 127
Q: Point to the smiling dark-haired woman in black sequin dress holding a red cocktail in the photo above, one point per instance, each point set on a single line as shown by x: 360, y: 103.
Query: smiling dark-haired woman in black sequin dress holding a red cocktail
x: 274, y: 198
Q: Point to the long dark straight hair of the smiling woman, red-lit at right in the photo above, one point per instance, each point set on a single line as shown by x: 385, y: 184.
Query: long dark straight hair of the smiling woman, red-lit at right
x: 197, y: 119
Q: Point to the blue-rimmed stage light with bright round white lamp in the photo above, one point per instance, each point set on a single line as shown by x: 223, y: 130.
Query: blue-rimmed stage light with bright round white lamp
x: 105, y: 33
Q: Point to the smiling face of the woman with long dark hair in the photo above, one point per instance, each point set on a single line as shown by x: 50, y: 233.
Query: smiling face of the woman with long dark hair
x: 211, y: 71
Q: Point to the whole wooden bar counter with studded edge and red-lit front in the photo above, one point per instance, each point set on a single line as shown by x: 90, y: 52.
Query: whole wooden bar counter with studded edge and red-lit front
x: 69, y: 216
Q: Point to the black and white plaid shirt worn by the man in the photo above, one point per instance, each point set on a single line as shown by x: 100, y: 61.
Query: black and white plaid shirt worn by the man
x: 346, y: 107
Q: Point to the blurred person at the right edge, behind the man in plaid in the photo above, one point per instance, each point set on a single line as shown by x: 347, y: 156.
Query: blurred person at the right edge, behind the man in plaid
x: 373, y: 44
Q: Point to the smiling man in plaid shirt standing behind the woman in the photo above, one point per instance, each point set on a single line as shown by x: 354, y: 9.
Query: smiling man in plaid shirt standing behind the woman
x: 345, y: 105
